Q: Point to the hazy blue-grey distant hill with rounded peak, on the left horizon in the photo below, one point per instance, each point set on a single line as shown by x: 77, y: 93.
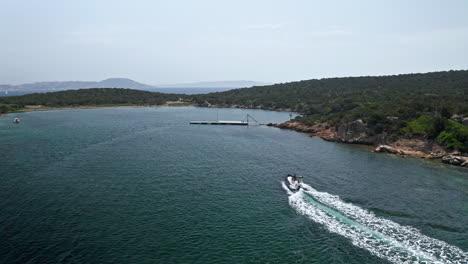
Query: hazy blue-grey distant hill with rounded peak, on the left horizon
x: 75, y: 85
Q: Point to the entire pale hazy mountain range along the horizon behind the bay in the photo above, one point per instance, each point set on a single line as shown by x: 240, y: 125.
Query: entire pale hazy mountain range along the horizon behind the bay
x: 121, y: 83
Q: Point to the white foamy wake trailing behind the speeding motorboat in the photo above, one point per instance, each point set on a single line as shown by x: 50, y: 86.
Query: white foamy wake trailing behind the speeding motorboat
x: 382, y: 237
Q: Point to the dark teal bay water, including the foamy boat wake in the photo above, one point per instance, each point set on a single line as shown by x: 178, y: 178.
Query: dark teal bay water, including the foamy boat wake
x: 141, y: 185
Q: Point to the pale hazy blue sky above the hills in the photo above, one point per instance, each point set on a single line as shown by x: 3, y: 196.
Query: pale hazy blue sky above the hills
x: 176, y: 41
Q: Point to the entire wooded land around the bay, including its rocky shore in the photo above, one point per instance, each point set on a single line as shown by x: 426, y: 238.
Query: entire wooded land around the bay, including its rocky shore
x: 421, y: 115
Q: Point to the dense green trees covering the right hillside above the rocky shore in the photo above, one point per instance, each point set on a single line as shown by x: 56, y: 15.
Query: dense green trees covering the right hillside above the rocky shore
x: 386, y: 103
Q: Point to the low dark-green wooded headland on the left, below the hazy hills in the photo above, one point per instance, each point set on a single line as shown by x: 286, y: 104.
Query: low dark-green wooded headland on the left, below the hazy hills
x: 94, y: 96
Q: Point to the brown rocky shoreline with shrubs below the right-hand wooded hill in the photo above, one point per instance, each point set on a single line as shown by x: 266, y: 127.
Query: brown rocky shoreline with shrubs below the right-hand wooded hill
x: 357, y: 133
